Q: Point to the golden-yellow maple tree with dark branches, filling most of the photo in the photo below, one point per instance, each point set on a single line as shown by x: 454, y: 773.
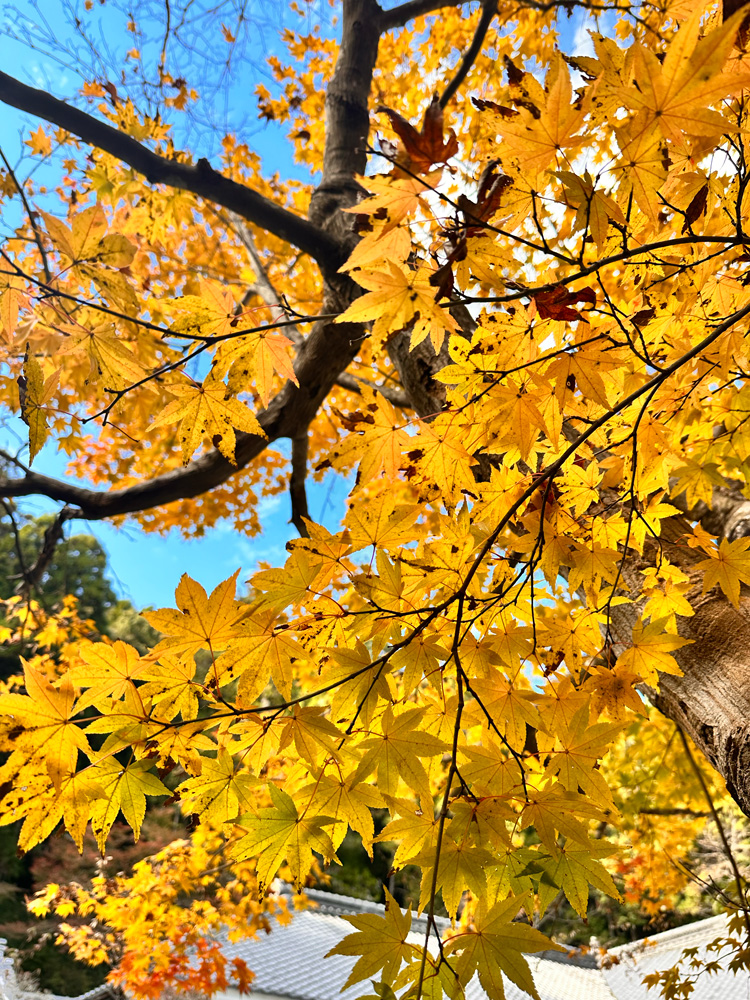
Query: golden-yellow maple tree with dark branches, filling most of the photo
x: 514, y: 314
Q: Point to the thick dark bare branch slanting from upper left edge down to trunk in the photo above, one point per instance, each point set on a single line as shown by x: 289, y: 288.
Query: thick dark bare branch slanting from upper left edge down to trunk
x: 201, y: 179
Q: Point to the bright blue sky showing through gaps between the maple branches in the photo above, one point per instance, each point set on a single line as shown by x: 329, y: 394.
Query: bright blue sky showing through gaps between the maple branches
x: 145, y: 567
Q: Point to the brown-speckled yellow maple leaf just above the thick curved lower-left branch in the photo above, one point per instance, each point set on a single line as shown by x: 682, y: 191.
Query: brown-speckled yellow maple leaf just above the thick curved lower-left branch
x: 207, y: 409
